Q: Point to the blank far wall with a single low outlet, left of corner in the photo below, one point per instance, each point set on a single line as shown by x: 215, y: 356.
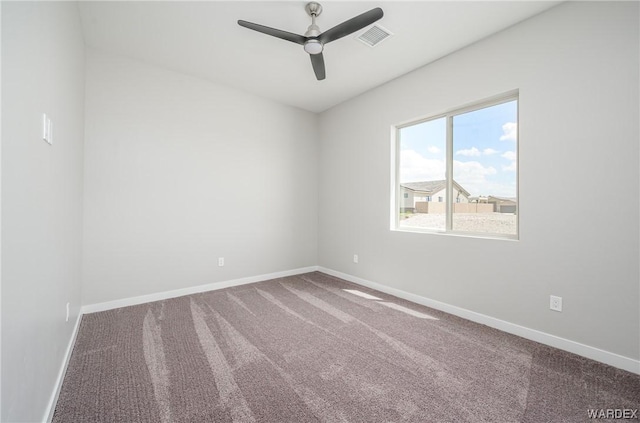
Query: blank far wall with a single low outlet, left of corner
x: 180, y: 171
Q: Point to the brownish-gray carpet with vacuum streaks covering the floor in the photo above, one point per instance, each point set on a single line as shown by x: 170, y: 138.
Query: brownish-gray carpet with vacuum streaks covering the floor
x: 313, y: 348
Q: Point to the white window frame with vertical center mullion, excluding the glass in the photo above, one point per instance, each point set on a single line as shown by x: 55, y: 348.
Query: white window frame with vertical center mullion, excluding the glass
x: 449, y: 115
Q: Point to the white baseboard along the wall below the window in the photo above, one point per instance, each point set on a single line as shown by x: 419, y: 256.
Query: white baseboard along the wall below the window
x: 587, y: 351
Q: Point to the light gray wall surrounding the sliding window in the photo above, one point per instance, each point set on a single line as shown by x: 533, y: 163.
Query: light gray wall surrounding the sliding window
x: 576, y: 67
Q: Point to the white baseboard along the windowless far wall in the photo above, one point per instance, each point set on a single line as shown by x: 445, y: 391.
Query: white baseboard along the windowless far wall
x: 125, y: 302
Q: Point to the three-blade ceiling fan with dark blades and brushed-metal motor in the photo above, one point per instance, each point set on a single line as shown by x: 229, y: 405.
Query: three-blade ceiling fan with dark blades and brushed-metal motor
x: 313, y: 40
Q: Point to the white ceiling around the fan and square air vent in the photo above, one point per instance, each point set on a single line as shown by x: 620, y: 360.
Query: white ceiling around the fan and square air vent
x: 203, y: 39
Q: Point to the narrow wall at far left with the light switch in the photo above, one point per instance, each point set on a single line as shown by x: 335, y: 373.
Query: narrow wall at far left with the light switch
x: 42, y: 71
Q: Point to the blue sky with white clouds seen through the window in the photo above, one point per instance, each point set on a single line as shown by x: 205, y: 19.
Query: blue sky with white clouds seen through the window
x: 484, y: 150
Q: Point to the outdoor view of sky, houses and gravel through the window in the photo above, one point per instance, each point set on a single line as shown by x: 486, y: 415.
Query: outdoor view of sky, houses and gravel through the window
x: 458, y: 172
